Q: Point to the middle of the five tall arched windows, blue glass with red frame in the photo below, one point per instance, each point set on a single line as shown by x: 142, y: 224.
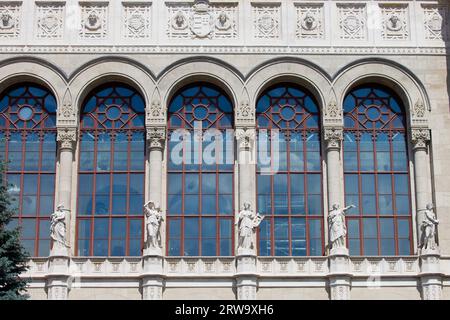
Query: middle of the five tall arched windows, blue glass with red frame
x: 200, y: 190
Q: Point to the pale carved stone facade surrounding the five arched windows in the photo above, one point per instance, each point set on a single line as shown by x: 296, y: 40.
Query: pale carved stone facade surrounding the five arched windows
x: 243, y: 46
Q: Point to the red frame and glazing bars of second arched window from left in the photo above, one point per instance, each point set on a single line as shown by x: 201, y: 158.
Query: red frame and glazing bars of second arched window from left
x: 98, y: 123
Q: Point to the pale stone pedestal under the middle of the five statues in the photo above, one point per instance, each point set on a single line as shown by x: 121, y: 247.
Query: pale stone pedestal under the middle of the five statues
x: 246, y: 276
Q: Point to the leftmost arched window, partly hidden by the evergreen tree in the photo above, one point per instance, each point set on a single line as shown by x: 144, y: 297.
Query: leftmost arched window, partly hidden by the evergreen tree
x: 28, y: 142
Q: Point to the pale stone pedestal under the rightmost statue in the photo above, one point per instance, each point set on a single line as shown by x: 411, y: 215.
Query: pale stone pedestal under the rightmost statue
x: 430, y: 274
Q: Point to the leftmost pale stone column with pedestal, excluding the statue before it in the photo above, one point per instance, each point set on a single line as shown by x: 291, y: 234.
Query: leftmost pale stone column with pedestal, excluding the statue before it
x: 58, y: 276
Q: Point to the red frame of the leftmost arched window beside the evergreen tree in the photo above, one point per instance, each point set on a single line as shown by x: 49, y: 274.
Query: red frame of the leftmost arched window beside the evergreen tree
x: 40, y: 123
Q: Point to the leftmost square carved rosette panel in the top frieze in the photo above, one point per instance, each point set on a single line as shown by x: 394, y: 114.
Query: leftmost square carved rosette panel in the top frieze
x: 50, y: 20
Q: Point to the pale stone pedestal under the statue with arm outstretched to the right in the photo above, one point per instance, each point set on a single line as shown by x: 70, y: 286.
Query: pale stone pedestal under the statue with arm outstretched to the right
x: 339, y: 277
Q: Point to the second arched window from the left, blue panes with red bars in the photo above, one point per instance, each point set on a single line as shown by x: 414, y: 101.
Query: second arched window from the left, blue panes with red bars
x: 111, y: 173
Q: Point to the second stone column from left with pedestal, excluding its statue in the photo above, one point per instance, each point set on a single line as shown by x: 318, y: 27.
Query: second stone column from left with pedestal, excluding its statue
x: 152, y: 277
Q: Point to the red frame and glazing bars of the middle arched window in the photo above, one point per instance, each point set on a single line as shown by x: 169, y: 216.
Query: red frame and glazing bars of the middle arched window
x: 185, y: 114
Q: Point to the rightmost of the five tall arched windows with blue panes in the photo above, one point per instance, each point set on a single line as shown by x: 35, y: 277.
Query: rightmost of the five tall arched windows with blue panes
x: 377, y: 173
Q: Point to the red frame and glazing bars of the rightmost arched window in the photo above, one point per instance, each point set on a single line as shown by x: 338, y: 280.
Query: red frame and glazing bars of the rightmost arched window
x: 387, y: 125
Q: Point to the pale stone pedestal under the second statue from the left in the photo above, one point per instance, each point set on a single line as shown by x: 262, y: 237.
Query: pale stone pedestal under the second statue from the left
x: 152, y: 276
